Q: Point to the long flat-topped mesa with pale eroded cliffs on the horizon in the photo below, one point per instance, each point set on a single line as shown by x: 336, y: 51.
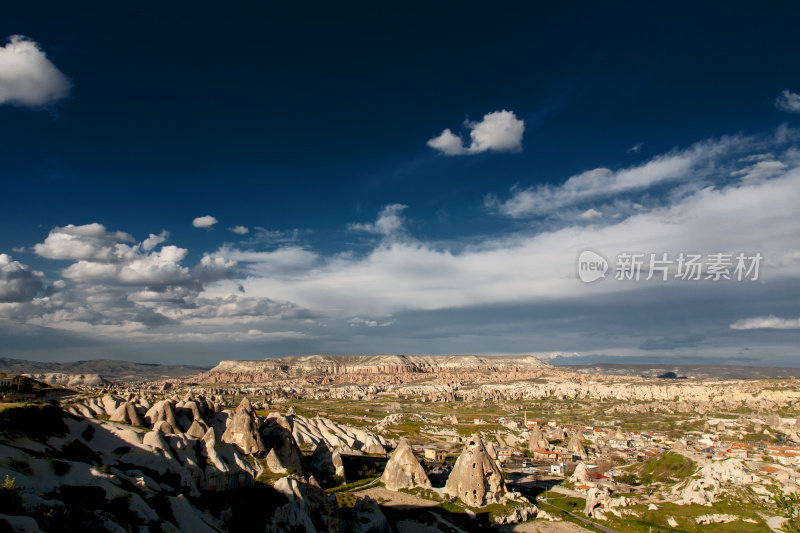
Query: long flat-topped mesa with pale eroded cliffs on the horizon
x: 376, y: 369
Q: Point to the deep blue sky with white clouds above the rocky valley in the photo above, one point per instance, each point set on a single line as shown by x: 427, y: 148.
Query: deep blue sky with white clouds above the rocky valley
x: 411, y: 179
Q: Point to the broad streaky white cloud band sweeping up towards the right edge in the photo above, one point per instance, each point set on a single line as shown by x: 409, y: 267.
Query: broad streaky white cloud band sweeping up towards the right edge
x: 527, y: 266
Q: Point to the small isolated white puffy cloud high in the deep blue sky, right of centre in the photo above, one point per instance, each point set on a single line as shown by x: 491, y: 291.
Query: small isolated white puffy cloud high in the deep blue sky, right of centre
x: 500, y: 131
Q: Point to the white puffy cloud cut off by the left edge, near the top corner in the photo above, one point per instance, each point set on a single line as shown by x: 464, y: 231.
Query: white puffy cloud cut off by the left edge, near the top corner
x: 27, y: 77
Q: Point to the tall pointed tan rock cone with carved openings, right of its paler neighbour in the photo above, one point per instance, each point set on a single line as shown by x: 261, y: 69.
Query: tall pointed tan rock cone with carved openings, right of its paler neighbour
x: 475, y: 478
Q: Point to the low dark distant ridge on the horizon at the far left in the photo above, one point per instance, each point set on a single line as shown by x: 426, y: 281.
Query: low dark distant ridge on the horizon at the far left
x: 104, y: 369
